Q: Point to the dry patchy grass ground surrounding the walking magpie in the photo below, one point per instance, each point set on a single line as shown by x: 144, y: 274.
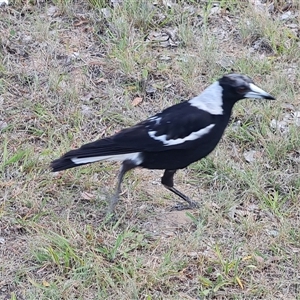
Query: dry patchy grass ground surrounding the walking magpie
x: 69, y: 76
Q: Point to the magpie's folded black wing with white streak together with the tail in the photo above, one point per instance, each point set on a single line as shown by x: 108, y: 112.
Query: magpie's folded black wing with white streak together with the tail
x: 174, y: 128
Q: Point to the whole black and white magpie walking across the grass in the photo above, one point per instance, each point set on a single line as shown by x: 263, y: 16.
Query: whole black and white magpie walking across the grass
x: 171, y: 139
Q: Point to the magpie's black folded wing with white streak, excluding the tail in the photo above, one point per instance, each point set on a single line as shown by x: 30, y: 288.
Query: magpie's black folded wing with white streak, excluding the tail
x: 173, y: 128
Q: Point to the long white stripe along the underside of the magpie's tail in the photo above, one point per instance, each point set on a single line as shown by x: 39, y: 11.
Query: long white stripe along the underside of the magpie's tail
x: 136, y: 157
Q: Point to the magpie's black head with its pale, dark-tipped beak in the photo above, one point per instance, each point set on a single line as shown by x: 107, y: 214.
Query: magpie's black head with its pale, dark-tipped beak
x: 237, y: 87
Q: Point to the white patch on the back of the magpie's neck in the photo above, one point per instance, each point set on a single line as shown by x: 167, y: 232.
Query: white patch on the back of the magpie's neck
x: 210, y: 99
